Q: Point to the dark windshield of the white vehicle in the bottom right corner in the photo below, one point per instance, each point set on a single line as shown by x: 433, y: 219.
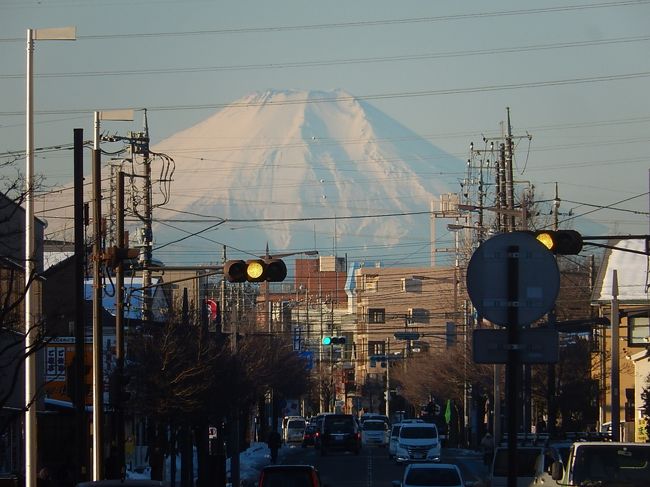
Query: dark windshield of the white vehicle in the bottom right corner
x: 629, y: 465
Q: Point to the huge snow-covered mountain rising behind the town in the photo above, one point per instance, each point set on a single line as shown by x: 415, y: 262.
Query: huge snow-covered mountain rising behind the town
x: 302, y: 169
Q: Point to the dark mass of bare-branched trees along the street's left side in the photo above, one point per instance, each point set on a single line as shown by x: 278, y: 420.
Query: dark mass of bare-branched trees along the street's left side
x: 184, y: 379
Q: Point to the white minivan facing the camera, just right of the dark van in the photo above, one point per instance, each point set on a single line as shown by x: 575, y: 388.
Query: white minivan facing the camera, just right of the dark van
x: 418, y: 442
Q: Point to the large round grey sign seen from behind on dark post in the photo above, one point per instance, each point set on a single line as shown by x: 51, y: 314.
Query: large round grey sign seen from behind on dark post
x: 488, y: 280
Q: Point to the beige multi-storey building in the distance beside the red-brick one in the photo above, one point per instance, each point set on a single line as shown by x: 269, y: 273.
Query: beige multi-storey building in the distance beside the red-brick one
x: 424, y: 306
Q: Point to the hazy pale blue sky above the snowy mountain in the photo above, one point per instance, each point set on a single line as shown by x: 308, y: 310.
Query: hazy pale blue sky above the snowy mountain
x: 574, y: 74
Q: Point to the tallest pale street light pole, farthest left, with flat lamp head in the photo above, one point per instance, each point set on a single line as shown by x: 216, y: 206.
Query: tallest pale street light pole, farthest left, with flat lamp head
x: 61, y: 34
